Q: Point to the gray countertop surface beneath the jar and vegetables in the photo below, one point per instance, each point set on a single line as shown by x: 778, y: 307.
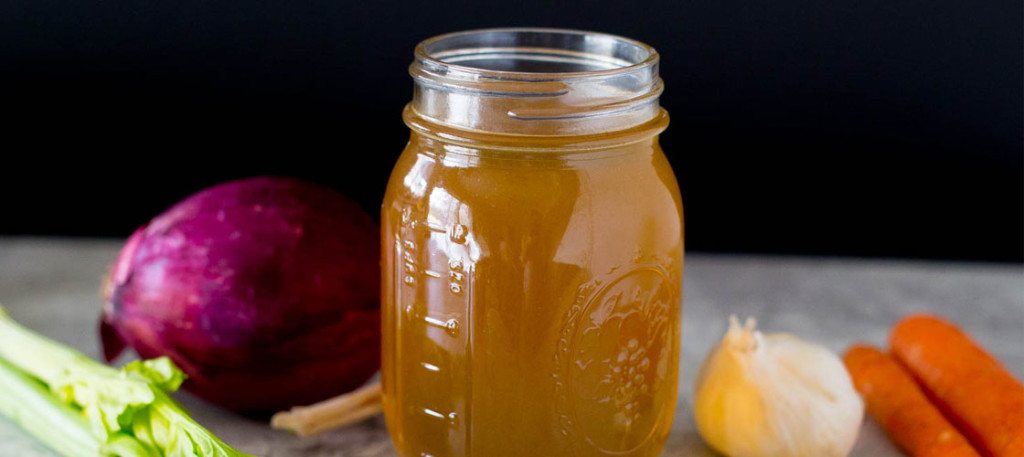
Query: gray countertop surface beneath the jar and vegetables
x: 52, y: 286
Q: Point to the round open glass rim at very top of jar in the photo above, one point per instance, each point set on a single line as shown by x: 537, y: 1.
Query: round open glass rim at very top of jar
x: 534, y: 55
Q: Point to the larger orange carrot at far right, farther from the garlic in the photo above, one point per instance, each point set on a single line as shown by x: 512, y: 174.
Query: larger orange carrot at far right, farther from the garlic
x: 975, y: 392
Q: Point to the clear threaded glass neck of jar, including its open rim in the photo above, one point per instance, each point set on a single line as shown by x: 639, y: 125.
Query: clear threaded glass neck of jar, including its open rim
x: 537, y: 82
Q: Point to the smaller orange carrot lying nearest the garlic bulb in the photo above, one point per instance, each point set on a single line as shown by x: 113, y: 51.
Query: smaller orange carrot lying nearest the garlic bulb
x: 902, y: 408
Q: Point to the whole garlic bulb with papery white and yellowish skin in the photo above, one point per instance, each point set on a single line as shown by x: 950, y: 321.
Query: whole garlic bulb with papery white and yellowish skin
x: 776, y: 396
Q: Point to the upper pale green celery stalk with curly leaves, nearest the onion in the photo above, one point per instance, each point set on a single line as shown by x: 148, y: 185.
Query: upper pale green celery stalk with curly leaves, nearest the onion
x: 129, y: 412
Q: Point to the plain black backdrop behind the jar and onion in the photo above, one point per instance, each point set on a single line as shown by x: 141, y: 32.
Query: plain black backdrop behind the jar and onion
x: 868, y: 129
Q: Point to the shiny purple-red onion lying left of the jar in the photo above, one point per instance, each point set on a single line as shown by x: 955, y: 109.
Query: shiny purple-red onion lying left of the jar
x: 266, y: 292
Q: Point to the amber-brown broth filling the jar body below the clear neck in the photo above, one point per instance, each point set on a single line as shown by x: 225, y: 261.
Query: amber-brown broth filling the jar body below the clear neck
x: 532, y: 298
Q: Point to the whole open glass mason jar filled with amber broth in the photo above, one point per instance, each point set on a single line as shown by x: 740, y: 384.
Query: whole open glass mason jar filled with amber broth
x: 532, y: 252
